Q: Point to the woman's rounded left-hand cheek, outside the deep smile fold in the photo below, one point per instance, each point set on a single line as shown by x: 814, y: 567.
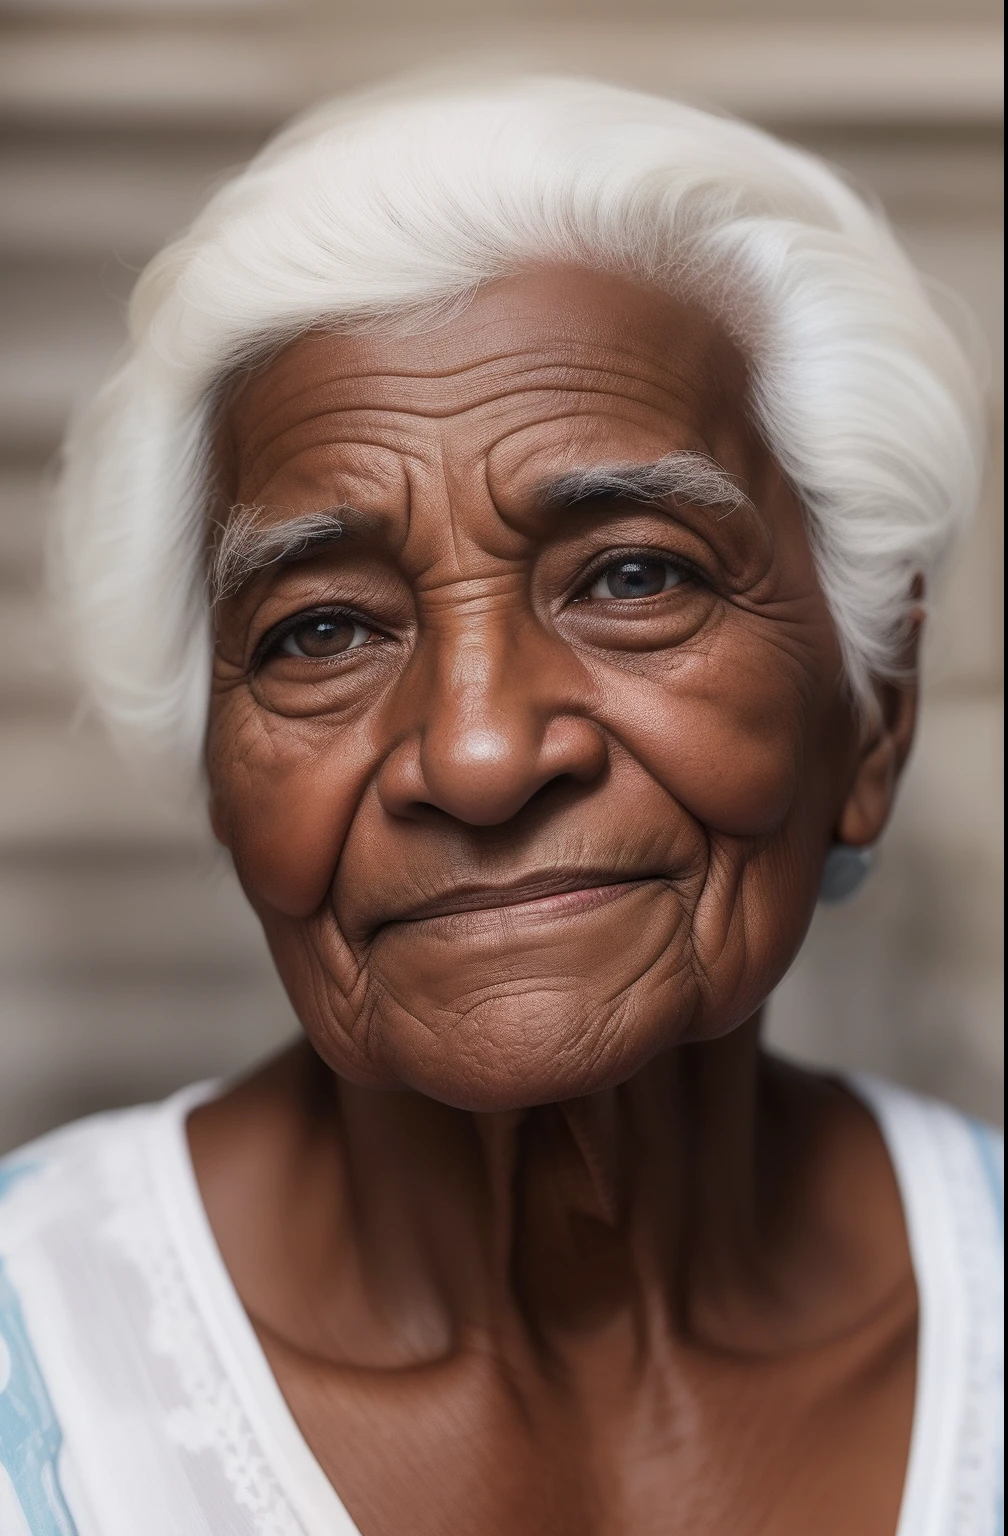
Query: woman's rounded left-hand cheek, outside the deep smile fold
x: 285, y: 795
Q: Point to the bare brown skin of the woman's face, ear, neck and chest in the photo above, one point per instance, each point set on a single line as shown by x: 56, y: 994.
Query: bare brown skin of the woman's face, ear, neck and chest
x: 534, y: 1236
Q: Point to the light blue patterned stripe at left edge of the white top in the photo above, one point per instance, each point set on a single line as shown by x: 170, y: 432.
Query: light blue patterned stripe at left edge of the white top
x: 30, y: 1431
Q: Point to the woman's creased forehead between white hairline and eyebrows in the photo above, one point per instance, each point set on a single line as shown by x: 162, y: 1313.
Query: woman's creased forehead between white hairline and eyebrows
x: 537, y: 372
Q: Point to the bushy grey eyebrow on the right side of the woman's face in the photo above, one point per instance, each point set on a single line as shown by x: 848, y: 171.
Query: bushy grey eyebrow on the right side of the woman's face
x: 692, y: 478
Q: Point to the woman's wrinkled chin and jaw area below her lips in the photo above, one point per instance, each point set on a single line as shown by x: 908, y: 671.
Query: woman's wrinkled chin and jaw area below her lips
x: 506, y: 1010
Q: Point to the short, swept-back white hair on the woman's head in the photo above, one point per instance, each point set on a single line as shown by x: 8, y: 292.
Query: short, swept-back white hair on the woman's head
x: 394, y: 207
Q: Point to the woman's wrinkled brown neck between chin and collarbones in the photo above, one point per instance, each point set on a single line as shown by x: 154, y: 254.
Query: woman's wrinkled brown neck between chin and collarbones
x: 417, y: 1225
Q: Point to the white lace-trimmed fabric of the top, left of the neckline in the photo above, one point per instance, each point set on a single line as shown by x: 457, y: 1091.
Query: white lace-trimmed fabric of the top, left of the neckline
x: 159, y: 1426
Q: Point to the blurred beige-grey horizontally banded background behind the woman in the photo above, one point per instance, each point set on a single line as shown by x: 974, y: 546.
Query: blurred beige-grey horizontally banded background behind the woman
x: 128, y: 962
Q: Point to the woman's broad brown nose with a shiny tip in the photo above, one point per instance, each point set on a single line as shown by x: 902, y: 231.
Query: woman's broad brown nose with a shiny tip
x: 497, y: 717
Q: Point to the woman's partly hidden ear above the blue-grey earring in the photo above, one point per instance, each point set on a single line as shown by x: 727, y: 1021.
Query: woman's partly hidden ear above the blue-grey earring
x: 884, y: 749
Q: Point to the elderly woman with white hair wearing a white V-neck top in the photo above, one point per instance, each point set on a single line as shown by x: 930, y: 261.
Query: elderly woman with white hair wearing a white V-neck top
x: 516, y: 509
